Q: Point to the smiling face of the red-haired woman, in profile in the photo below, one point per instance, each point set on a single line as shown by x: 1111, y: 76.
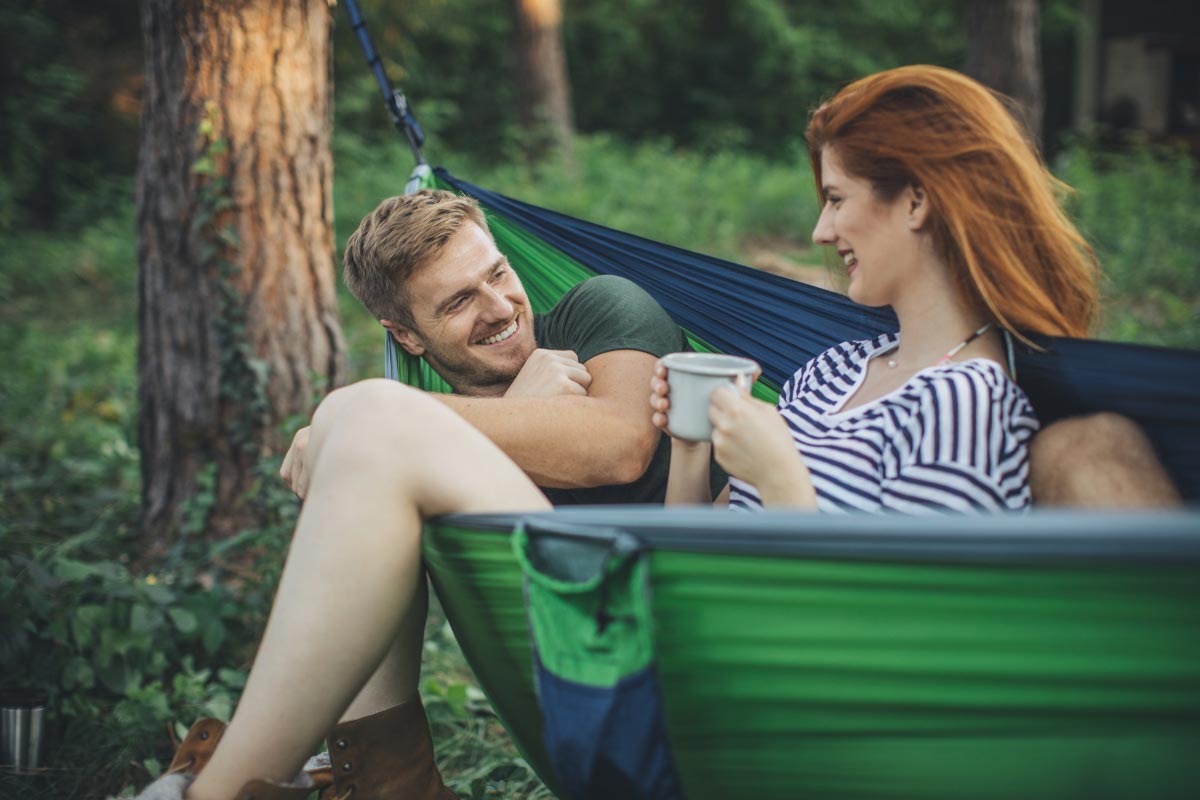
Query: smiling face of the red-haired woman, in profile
x: 877, y: 240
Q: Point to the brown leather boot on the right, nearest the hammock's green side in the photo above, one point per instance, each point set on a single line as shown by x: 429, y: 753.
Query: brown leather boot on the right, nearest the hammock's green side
x: 387, y: 756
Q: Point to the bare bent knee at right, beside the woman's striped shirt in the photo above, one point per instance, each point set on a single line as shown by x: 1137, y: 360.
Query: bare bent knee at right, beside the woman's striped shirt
x: 1103, y: 461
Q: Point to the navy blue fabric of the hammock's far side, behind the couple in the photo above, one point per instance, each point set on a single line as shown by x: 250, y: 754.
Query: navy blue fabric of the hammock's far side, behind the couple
x: 784, y: 323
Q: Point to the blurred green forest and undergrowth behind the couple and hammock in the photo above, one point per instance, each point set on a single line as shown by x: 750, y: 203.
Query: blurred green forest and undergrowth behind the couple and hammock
x: 689, y: 121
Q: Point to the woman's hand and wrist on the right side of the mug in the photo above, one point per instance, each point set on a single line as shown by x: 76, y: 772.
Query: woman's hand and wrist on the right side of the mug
x: 753, y: 443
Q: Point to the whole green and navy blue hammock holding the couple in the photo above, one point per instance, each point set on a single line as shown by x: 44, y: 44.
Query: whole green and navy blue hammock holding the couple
x: 676, y: 654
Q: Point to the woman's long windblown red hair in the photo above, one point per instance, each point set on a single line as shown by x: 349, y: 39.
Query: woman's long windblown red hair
x: 995, y: 214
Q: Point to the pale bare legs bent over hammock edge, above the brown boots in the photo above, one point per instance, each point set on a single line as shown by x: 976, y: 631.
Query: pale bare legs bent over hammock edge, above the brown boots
x: 386, y: 459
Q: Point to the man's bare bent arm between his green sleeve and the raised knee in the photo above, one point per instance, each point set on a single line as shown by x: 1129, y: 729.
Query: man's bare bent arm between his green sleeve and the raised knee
x: 572, y: 441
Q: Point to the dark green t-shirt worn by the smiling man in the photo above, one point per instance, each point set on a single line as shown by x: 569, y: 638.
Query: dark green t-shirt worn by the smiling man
x: 609, y: 314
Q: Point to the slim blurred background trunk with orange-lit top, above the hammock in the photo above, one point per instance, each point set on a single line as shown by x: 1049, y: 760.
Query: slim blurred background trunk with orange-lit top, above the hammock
x: 544, y: 94
